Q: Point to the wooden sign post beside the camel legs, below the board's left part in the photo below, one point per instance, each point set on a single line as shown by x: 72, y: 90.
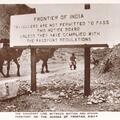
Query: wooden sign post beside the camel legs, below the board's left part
x: 33, y: 69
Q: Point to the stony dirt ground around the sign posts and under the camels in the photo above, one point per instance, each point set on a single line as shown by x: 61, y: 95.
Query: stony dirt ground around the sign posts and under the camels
x: 61, y: 90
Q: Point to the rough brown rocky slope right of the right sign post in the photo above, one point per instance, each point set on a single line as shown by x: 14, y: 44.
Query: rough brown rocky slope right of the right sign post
x: 109, y: 61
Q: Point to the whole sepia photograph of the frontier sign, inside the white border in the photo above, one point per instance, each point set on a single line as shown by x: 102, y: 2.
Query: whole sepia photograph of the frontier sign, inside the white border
x: 59, y: 57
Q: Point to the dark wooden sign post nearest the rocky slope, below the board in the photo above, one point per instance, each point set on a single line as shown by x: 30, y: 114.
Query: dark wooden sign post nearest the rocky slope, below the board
x: 87, y: 71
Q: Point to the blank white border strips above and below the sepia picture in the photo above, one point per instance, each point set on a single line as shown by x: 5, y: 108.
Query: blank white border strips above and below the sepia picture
x: 101, y: 115
